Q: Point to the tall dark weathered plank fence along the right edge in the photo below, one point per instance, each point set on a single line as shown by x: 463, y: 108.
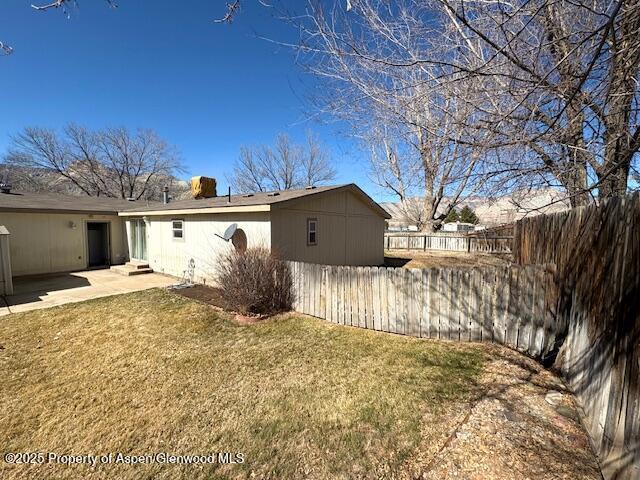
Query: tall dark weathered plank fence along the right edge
x: 596, y: 253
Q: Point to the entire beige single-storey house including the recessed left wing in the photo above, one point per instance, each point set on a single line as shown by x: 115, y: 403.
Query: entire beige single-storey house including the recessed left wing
x: 337, y: 225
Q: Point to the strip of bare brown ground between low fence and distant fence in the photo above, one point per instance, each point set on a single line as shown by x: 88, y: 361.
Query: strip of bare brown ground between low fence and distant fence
x: 443, y: 259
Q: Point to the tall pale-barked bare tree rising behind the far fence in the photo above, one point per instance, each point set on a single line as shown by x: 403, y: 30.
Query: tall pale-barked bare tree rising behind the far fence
x: 418, y: 130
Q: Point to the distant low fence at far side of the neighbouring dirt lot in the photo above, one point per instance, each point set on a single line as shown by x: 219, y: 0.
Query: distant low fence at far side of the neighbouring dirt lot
x: 455, y: 243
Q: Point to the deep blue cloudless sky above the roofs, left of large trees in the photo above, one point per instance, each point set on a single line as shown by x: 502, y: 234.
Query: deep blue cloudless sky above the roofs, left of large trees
x: 206, y: 88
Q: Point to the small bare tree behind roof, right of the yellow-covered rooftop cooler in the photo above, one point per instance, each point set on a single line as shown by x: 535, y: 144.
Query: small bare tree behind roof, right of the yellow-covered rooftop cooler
x: 282, y: 167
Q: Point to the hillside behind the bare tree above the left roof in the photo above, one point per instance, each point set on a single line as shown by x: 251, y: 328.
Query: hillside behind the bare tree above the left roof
x: 45, y: 180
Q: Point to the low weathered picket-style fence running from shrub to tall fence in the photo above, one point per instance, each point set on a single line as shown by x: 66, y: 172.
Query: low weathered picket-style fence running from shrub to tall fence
x: 513, y: 306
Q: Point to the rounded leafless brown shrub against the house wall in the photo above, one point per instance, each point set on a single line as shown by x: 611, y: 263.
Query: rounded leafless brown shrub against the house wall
x: 255, y: 281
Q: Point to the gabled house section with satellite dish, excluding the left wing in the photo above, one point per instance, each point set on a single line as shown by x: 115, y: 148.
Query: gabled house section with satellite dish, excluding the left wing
x: 334, y: 225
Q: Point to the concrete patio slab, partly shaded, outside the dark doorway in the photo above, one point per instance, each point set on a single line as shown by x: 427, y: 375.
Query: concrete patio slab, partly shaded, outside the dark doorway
x: 31, y: 293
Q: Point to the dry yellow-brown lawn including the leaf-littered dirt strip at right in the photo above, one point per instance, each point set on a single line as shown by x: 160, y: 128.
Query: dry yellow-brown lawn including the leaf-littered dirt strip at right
x: 155, y: 372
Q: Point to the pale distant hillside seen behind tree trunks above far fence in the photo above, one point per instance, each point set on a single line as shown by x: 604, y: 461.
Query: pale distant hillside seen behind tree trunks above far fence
x: 492, y: 212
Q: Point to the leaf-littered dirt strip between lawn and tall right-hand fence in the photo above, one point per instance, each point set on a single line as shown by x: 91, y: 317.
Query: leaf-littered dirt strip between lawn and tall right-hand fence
x: 512, y: 429
